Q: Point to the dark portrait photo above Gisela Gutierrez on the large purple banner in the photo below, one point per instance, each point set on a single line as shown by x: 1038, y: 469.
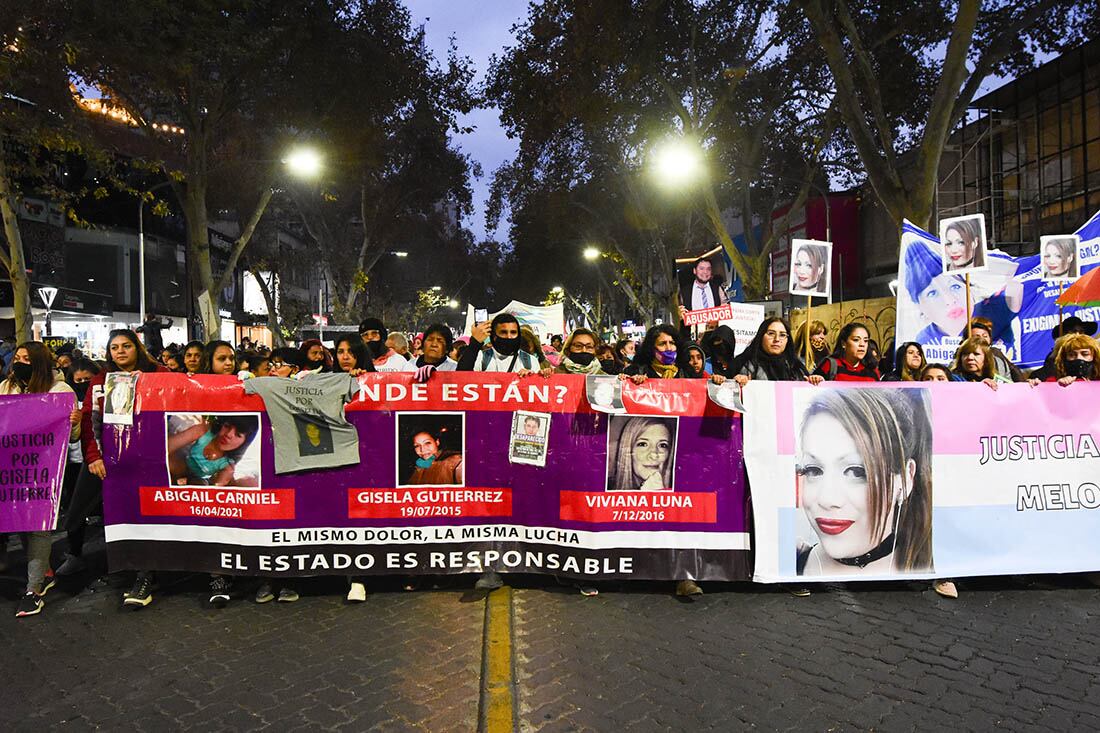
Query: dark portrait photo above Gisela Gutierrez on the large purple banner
x: 431, y: 450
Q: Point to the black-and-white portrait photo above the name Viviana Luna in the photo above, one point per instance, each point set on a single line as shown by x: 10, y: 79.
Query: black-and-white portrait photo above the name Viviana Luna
x: 641, y: 454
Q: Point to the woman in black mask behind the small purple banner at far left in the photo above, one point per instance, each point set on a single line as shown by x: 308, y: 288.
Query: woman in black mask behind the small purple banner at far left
x: 32, y: 373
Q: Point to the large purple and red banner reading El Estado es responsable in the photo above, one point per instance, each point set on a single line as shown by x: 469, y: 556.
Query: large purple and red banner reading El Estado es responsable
x: 201, y: 483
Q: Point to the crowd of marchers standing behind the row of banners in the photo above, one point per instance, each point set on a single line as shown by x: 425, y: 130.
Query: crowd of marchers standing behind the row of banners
x: 502, y: 345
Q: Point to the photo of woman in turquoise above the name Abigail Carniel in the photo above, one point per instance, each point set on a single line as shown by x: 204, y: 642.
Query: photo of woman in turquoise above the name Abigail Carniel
x: 213, y: 451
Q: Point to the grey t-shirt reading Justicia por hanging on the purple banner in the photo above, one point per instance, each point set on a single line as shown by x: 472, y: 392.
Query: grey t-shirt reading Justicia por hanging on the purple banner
x: 309, y: 425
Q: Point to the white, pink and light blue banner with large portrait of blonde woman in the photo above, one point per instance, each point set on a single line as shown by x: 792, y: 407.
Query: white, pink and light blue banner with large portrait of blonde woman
x: 897, y: 482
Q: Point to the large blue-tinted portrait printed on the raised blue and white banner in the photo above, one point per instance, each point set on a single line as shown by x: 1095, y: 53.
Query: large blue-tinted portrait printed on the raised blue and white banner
x: 941, y: 298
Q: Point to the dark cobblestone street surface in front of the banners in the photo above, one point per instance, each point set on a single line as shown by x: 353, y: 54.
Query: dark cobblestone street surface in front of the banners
x: 1009, y: 653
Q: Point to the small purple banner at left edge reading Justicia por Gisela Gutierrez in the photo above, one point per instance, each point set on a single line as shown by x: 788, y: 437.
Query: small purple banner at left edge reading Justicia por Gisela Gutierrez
x: 35, y: 431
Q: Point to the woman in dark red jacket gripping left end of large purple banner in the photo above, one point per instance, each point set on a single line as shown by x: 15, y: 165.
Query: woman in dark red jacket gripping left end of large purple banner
x: 125, y: 354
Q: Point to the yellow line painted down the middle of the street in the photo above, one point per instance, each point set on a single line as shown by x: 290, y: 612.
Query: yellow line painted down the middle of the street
x: 498, y: 709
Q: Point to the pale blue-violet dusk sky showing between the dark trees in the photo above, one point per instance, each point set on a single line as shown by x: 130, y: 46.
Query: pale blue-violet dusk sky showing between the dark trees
x: 481, y: 29
